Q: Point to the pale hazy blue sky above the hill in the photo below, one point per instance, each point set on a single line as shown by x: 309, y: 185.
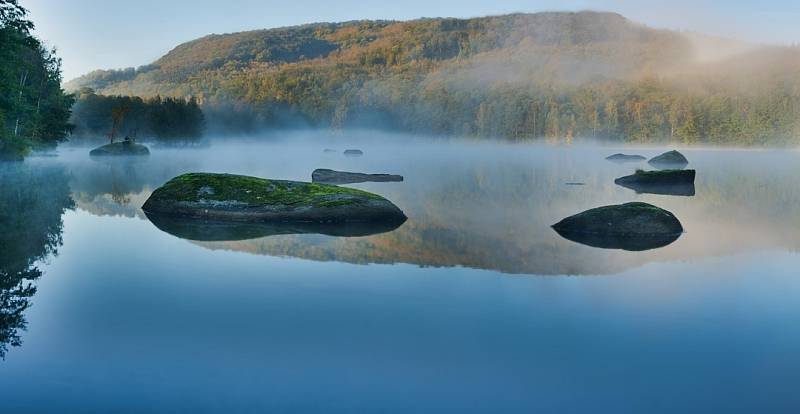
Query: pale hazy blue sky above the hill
x: 92, y: 34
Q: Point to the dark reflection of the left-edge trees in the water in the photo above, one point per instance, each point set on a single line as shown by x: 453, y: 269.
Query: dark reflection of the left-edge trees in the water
x: 32, y: 200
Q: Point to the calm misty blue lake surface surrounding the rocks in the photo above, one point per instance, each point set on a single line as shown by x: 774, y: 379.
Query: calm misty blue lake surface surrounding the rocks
x: 473, y: 305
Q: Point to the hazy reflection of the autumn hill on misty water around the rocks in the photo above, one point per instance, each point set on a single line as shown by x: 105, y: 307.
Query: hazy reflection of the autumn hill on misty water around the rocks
x: 480, y: 206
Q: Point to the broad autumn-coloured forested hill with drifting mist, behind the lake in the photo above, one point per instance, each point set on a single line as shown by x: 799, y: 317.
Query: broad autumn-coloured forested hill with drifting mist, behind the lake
x: 555, y: 76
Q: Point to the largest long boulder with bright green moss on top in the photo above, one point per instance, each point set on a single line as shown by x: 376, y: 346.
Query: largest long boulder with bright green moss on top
x: 228, y: 197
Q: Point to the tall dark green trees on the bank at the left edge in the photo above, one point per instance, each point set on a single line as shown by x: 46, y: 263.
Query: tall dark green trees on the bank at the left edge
x: 34, y: 110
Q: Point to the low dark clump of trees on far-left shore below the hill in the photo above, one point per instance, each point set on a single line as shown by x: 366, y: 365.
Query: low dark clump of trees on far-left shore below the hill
x: 168, y: 119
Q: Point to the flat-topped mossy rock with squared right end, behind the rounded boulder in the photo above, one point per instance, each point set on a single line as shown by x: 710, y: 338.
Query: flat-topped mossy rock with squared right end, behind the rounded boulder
x: 665, y: 182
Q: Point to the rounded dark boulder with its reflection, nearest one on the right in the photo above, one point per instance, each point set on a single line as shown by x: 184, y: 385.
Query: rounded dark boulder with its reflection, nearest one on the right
x: 630, y: 226
